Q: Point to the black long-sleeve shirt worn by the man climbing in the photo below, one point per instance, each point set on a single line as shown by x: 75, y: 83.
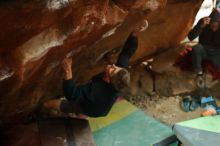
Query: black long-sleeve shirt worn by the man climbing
x: 97, y: 96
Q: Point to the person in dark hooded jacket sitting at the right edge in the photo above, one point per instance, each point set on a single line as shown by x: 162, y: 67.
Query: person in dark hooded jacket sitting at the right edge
x: 208, y: 47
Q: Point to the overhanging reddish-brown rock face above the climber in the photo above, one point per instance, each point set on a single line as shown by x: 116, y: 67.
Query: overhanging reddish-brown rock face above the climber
x: 36, y: 35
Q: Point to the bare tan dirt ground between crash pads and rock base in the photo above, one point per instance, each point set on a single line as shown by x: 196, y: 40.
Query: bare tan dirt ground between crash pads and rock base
x: 165, y: 109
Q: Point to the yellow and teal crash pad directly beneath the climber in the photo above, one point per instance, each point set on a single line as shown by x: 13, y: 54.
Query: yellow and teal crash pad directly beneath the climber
x: 126, y: 125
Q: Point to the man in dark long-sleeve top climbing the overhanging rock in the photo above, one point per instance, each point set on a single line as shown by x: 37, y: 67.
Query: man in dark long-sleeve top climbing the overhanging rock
x: 96, y: 98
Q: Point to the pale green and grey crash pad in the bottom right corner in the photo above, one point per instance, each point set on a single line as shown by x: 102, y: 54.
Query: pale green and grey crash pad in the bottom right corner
x: 201, y: 131
